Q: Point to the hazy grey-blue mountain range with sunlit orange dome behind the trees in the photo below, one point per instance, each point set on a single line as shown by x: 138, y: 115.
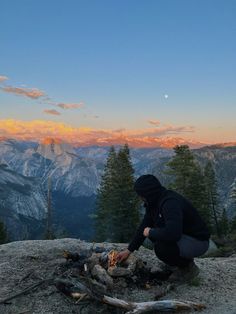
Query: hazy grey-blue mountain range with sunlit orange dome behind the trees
x: 75, y: 173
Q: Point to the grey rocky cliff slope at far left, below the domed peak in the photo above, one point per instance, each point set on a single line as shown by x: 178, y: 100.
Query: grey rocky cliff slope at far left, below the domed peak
x: 22, y: 203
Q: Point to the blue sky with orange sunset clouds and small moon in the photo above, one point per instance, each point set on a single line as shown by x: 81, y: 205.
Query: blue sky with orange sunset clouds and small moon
x: 154, y: 72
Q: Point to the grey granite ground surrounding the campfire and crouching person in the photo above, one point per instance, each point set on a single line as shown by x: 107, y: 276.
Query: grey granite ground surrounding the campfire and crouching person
x: 25, y: 263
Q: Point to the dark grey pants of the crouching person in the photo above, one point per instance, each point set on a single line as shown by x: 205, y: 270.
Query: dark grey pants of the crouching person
x: 180, y: 253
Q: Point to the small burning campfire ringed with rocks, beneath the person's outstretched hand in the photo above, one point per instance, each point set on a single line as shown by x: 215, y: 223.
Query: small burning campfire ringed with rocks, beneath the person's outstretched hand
x: 104, y: 269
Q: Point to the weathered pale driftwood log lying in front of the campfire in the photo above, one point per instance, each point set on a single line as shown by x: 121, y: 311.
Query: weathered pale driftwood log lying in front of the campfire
x: 76, y: 289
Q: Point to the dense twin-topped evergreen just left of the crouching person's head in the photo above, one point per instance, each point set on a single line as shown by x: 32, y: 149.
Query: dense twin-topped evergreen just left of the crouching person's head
x: 117, y: 212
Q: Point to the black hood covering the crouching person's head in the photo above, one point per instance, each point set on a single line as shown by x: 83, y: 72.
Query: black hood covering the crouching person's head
x: 147, y: 186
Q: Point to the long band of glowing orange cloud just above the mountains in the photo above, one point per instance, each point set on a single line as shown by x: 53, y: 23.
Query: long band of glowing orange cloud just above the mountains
x: 38, y: 130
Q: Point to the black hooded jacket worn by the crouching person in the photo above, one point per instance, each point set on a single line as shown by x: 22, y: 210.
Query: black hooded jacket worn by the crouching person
x: 168, y: 214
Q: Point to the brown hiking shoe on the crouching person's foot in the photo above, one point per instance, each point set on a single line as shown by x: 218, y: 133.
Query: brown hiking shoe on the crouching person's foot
x: 184, y: 274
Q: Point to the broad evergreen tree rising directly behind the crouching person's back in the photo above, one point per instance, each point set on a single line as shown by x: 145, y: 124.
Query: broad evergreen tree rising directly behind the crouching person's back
x: 188, y: 179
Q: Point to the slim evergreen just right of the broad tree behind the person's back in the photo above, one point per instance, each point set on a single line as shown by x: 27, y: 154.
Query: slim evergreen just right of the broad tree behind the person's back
x: 213, y: 199
